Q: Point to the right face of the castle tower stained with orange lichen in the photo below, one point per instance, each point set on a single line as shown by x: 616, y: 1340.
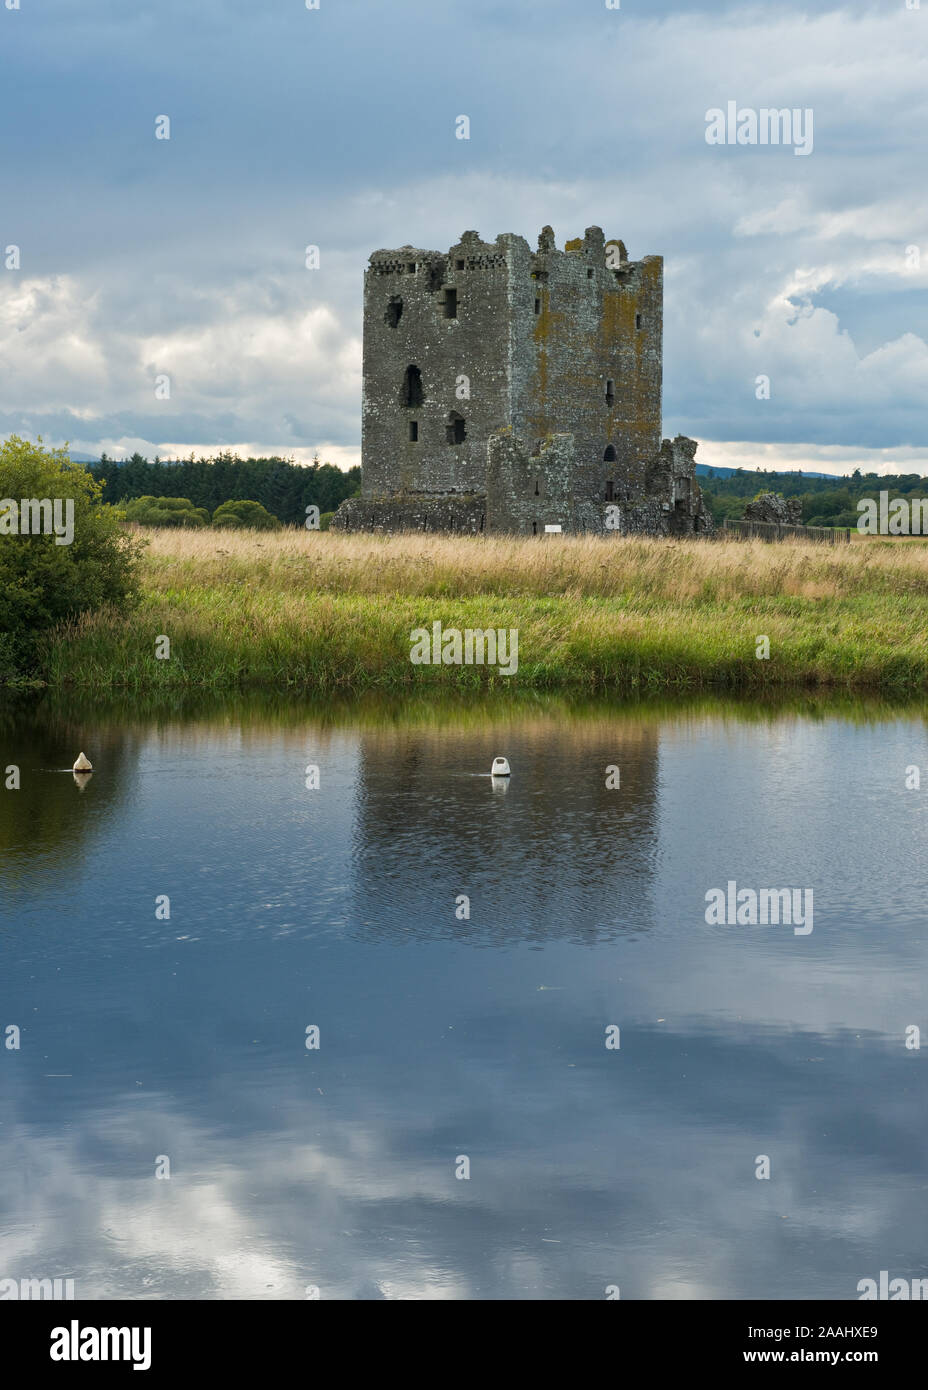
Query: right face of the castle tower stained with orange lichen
x: 594, y: 325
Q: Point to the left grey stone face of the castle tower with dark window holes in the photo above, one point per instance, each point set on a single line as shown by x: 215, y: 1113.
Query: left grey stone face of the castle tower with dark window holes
x: 474, y: 344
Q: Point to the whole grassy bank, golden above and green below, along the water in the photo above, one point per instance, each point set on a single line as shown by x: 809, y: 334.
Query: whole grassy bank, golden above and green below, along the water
x: 331, y: 612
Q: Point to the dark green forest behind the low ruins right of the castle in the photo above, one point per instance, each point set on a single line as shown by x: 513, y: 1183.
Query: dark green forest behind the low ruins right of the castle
x: 826, y: 501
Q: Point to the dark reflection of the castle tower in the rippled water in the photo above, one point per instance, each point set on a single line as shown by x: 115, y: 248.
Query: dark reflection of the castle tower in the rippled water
x: 549, y: 853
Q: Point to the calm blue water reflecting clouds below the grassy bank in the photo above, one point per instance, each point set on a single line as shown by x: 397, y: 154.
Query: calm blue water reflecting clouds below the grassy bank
x: 444, y: 1038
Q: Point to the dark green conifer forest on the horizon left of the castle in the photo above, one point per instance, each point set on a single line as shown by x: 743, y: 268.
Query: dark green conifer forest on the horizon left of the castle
x: 285, y: 489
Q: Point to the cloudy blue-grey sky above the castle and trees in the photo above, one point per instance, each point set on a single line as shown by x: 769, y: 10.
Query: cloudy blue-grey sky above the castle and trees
x: 335, y: 127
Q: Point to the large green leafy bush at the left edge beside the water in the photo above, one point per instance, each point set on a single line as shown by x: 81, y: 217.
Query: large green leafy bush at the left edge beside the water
x: 44, y: 583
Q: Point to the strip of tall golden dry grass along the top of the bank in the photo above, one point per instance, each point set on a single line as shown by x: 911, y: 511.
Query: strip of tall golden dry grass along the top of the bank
x: 583, y: 566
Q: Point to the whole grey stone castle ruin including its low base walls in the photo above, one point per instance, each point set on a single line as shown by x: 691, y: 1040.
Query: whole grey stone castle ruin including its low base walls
x: 517, y: 391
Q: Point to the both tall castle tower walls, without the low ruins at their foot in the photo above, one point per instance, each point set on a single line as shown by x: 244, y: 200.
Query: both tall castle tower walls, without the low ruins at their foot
x: 498, y: 336
